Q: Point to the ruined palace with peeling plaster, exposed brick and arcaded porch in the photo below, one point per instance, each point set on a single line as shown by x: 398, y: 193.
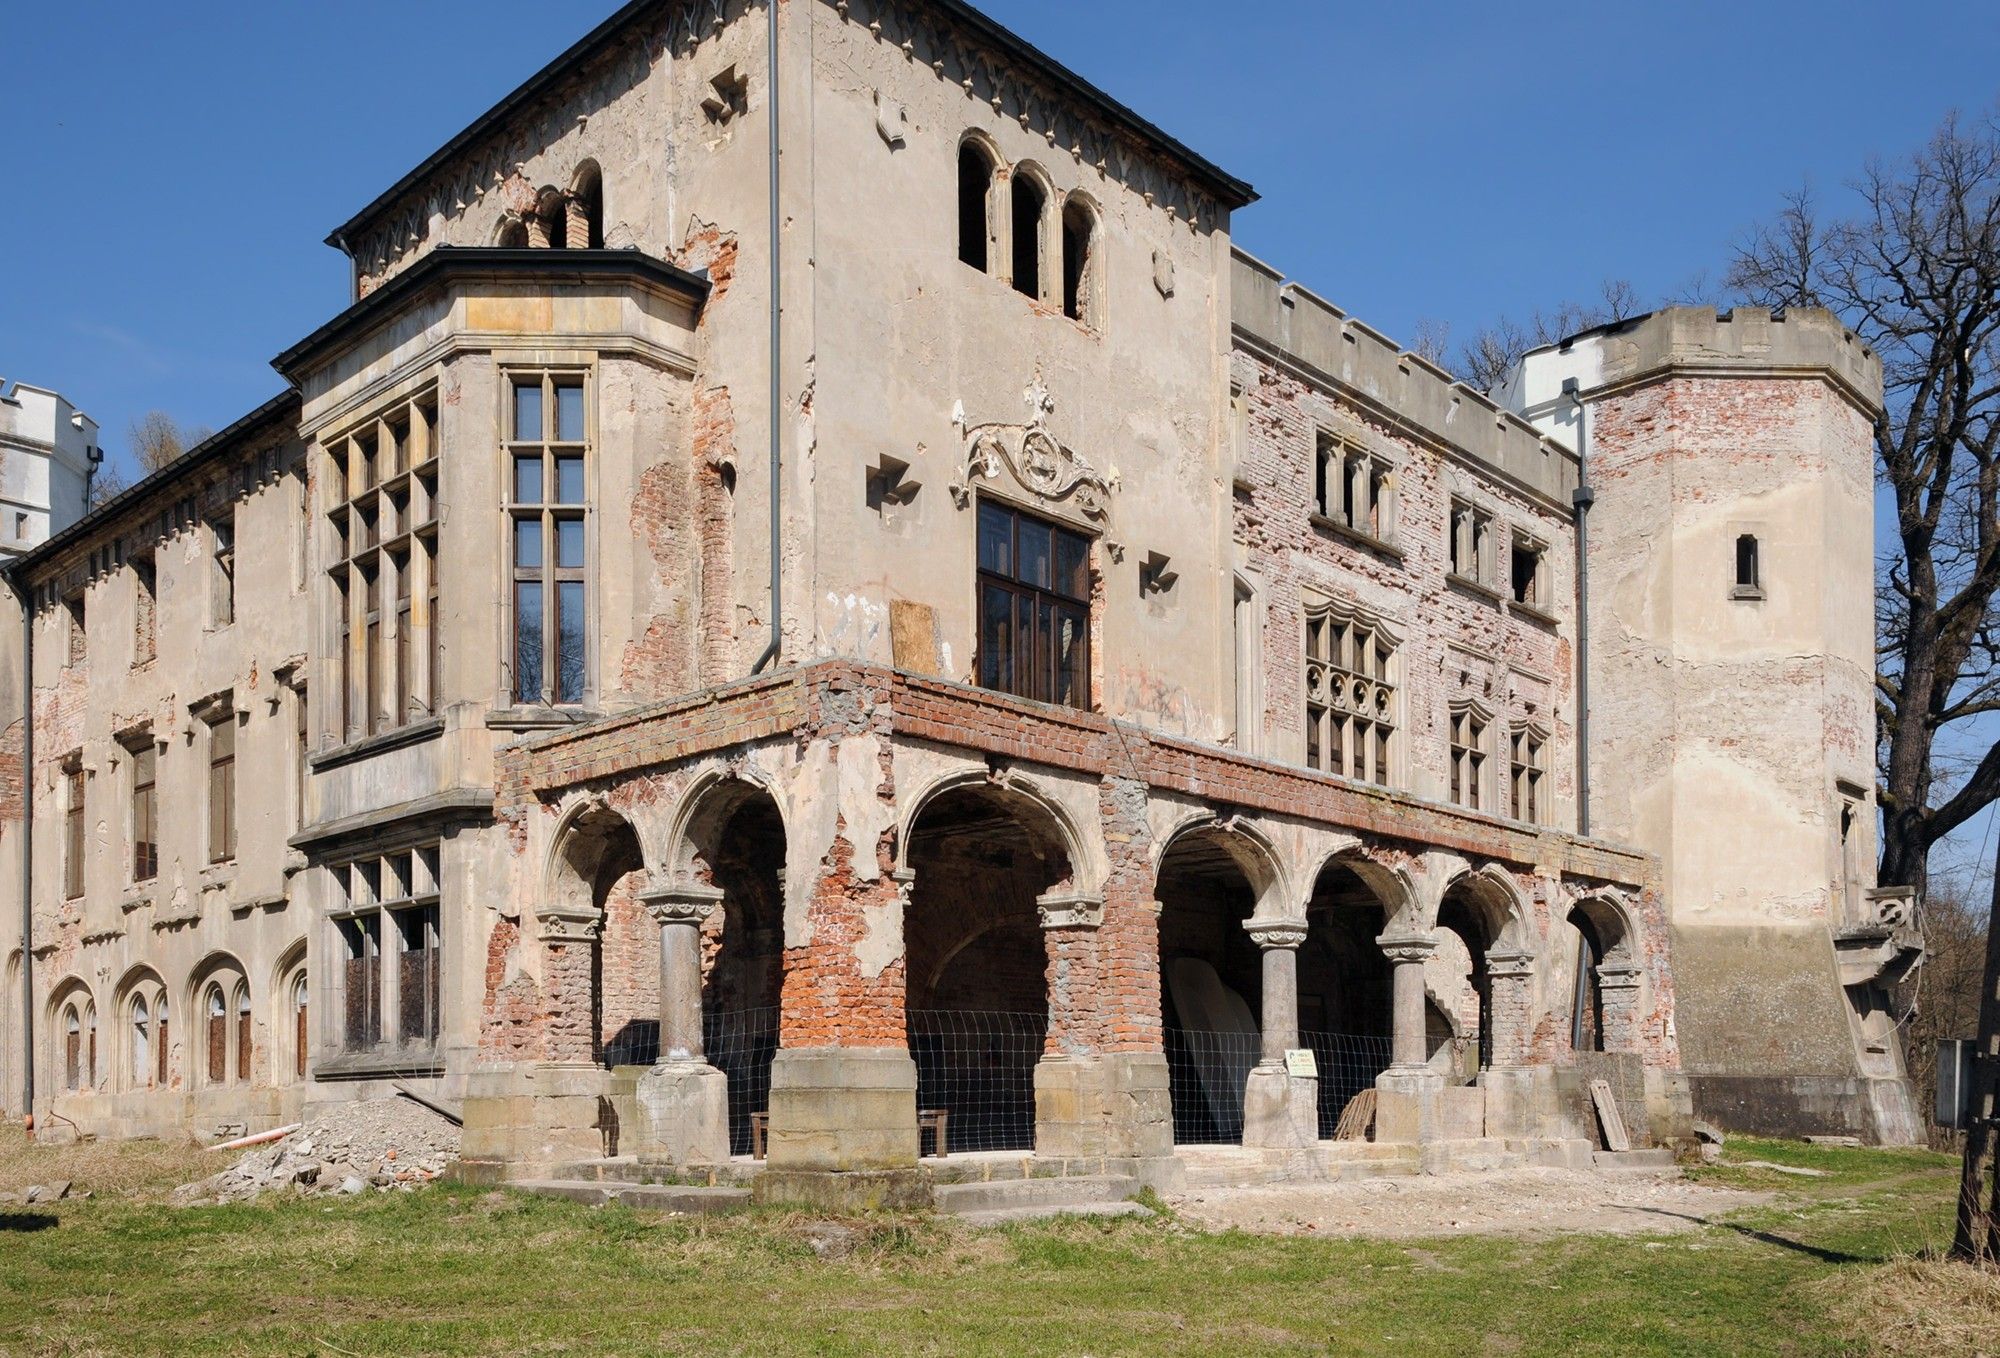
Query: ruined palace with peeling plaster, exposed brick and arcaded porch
x: 813, y: 615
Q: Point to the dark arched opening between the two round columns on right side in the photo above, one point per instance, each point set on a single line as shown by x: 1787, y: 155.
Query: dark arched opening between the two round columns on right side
x: 1345, y: 989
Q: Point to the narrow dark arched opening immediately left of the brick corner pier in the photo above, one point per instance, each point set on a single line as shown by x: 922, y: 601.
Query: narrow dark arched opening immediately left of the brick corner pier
x: 739, y: 845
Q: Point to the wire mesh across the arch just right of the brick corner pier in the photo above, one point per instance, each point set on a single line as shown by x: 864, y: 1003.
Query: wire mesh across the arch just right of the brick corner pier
x: 979, y: 1071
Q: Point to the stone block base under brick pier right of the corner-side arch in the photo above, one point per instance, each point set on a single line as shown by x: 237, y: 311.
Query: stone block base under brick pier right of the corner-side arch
x: 1115, y: 1105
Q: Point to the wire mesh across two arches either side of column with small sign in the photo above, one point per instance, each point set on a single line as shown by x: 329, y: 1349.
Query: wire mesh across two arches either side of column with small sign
x: 1207, y: 1075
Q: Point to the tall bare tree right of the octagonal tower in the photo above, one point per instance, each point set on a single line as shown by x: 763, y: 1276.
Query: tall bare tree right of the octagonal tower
x: 1917, y: 275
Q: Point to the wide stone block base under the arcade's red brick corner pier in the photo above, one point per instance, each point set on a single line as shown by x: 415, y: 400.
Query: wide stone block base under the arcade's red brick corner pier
x: 843, y: 1111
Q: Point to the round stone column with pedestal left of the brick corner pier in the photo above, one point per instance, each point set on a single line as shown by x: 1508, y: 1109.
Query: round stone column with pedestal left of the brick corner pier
x: 683, y: 1101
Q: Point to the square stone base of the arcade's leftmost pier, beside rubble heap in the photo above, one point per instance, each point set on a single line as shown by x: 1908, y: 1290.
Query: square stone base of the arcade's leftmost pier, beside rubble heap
x: 537, y: 1115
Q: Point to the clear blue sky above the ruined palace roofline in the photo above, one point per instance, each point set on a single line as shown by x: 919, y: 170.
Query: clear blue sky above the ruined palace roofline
x: 177, y: 167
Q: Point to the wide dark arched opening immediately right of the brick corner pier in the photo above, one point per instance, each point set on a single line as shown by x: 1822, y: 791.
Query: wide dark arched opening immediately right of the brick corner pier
x: 977, y: 961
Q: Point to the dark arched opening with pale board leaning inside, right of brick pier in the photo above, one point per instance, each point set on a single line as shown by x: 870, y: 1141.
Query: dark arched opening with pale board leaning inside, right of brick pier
x: 1211, y: 983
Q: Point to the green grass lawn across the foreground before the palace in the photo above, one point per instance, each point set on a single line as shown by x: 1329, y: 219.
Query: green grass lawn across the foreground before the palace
x: 457, y: 1271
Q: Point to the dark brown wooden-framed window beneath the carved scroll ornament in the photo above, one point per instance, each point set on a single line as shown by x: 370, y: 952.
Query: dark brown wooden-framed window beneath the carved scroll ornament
x: 1033, y: 607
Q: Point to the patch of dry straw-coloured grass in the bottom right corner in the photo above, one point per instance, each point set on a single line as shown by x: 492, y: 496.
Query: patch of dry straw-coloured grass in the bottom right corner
x: 1921, y: 1307
